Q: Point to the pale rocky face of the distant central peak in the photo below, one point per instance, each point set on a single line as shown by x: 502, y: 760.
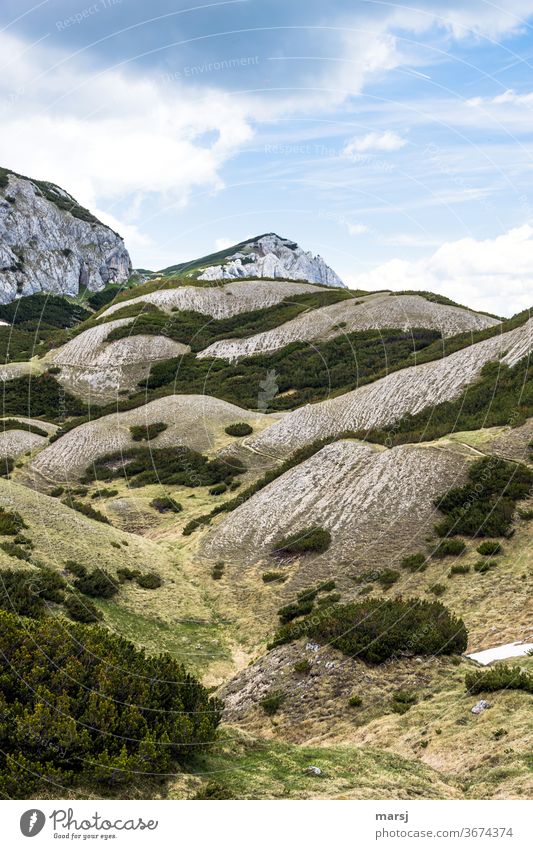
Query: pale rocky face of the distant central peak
x: 272, y: 256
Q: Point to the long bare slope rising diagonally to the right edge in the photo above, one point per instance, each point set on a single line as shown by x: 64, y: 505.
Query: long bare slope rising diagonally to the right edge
x: 382, y: 403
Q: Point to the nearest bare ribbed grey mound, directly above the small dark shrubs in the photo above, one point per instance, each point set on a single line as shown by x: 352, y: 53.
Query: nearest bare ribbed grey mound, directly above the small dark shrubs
x: 377, y: 504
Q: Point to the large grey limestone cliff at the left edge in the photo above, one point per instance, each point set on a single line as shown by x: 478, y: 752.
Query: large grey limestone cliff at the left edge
x: 48, y: 243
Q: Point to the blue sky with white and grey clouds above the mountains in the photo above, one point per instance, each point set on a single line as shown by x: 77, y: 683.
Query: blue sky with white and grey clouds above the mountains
x: 395, y: 140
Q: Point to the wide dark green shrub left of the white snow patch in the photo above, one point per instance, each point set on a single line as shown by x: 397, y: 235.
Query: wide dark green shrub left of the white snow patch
x: 378, y: 629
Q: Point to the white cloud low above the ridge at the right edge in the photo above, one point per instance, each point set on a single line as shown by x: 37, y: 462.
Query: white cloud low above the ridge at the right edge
x: 494, y: 275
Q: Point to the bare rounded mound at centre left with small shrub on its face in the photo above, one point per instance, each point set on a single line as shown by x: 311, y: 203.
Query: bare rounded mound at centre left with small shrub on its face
x: 197, y: 421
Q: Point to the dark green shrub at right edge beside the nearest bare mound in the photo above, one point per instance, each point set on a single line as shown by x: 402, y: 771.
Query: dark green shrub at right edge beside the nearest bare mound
x: 485, y: 506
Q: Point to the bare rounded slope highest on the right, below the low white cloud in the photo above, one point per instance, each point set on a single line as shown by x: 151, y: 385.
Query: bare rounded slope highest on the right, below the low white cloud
x: 373, y: 312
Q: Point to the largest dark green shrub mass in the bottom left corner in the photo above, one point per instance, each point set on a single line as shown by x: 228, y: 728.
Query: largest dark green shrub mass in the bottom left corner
x: 85, y: 708
